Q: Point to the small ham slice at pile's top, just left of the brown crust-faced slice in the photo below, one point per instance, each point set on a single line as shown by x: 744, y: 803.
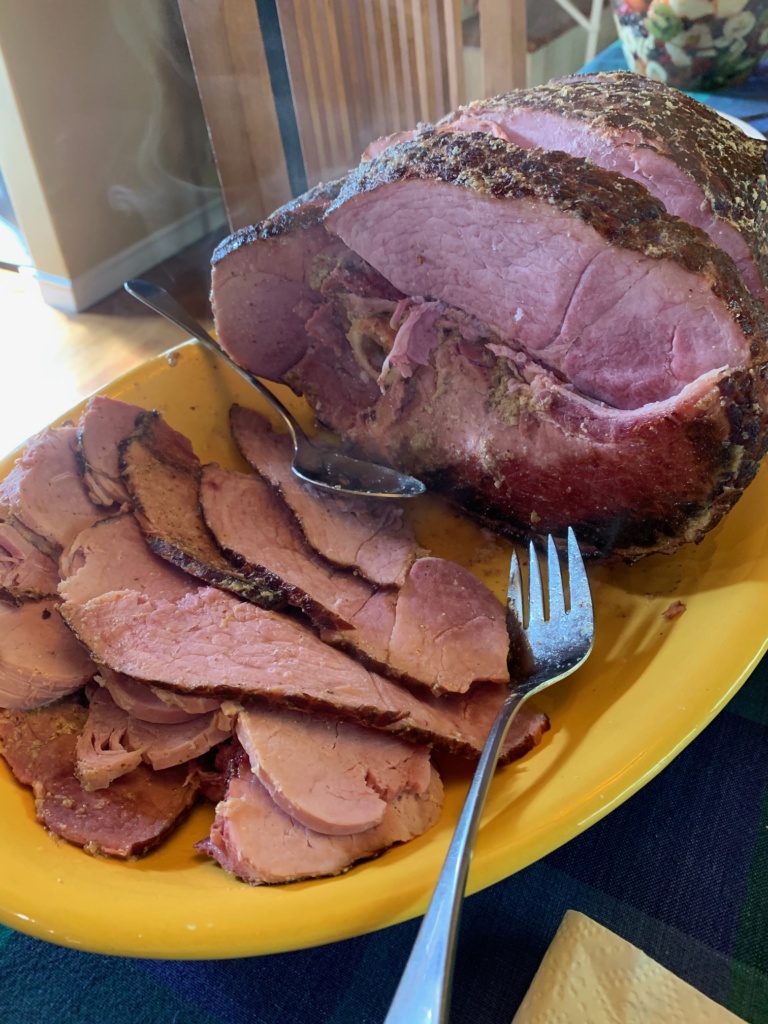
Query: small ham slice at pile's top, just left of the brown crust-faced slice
x: 105, y: 423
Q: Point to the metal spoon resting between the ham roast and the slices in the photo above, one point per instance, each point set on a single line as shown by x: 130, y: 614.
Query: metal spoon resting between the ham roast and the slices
x: 322, y: 467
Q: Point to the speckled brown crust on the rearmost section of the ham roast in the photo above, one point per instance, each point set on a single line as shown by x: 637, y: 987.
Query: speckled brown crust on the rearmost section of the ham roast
x: 731, y: 168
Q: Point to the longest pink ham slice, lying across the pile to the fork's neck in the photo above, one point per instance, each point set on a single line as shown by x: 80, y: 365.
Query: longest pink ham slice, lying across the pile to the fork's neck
x: 210, y: 645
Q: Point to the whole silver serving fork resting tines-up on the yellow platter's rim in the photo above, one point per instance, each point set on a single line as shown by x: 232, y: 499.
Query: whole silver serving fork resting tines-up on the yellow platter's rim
x: 546, y: 649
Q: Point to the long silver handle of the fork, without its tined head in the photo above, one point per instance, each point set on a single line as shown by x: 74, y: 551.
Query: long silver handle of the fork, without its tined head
x: 423, y: 996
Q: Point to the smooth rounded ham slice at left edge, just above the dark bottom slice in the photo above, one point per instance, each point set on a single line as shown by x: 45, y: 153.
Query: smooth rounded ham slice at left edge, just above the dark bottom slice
x: 40, y: 660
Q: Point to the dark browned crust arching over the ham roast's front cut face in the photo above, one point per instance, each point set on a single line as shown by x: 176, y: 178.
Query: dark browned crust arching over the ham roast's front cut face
x: 620, y: 210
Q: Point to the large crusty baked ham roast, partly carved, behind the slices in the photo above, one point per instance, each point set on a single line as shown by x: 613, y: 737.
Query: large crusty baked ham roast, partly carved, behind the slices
x: 532, y: 334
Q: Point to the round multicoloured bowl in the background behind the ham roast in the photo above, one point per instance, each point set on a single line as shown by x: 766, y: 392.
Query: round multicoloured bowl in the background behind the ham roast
x: 694, y: 45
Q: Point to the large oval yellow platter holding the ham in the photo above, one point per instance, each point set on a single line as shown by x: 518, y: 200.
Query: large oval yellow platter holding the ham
x: 650, y: 688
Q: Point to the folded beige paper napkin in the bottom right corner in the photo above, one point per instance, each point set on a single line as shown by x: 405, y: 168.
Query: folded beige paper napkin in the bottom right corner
x: 590, y: 976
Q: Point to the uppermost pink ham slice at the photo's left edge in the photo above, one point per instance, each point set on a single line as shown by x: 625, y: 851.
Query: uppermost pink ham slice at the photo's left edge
x: 45, y: 496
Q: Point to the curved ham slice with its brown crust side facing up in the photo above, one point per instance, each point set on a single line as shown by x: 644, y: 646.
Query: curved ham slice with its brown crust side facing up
x: 162, y: 475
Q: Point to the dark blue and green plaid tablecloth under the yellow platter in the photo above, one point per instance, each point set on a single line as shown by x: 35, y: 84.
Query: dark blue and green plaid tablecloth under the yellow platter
x: 680, y: 870
